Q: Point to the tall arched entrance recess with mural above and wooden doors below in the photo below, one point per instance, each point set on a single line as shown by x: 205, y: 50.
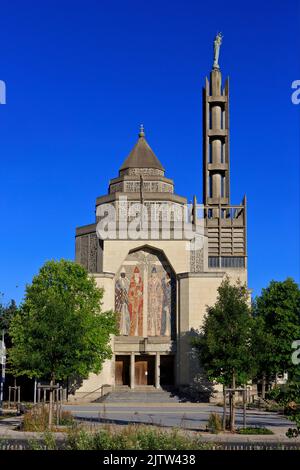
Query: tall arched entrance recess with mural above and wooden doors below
x: 145, y: 299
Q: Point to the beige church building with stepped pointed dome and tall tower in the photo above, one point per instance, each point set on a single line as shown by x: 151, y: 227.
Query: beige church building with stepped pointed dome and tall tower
x: 160, y: 260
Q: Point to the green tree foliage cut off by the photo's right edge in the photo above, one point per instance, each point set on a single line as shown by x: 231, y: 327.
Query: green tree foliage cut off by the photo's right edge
x: 277, y: 313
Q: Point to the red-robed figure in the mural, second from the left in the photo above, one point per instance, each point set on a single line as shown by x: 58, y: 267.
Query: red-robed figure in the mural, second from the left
x: 135, y: 303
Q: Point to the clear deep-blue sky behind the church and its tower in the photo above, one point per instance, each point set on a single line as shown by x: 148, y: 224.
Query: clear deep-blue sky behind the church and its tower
x: 81, y: 77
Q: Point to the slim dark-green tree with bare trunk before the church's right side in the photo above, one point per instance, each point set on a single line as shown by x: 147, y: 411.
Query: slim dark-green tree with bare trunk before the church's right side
x: 224, y: 343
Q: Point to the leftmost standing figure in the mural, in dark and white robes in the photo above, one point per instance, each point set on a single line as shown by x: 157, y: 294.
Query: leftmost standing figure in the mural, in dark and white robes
x: 121, y: 301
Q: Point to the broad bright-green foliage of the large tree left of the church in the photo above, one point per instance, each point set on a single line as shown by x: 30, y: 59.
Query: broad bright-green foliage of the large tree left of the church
x: 60, y: 330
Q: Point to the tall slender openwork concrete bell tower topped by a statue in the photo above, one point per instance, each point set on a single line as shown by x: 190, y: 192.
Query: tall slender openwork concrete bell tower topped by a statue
x: 225, y: 223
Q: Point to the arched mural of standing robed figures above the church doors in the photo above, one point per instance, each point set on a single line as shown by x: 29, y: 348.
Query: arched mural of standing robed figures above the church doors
x: 145, y: 295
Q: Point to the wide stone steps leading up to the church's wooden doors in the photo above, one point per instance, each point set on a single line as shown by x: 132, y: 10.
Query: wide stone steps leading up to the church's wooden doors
x: 140, y: 395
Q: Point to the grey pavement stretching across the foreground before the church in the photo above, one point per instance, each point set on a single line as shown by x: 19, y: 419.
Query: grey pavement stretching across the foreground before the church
x: 188, y: 417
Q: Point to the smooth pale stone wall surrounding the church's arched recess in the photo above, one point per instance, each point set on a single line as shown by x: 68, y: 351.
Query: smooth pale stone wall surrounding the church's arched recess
x: 195, y: 291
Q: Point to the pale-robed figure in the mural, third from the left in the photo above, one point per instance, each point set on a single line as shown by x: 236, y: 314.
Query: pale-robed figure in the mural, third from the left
x: 155, y: 296
